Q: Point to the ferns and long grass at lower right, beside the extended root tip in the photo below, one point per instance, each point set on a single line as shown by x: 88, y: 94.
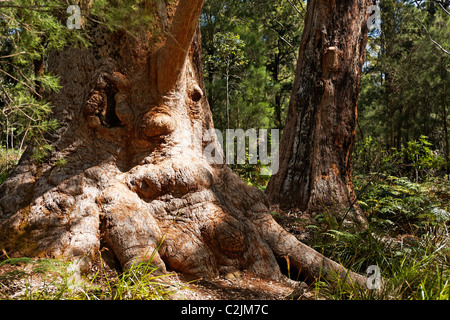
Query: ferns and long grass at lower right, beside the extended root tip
x: 406, y: 239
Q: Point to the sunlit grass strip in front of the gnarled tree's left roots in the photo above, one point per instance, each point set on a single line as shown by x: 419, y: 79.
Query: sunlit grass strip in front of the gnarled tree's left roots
x: 46, y: 279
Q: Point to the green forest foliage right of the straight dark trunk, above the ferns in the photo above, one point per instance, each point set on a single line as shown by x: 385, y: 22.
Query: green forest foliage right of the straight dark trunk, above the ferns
x: 404, y: 92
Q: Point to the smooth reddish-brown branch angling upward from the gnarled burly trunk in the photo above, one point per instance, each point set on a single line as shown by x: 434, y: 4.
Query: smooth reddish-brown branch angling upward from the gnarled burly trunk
x: 172, y: 55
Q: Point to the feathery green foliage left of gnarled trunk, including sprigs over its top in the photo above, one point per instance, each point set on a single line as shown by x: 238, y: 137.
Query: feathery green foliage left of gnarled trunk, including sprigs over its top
x: 29, y: 31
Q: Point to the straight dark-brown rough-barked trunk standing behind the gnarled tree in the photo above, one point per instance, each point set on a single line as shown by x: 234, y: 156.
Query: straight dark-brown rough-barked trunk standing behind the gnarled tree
x: 317, y: 144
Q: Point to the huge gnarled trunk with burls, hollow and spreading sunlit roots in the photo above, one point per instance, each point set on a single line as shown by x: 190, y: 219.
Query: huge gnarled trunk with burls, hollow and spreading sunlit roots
x: 135, y: 179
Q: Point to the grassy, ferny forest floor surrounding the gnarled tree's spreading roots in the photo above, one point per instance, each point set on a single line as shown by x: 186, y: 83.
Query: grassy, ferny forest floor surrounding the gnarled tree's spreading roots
x: 415, y: 259
